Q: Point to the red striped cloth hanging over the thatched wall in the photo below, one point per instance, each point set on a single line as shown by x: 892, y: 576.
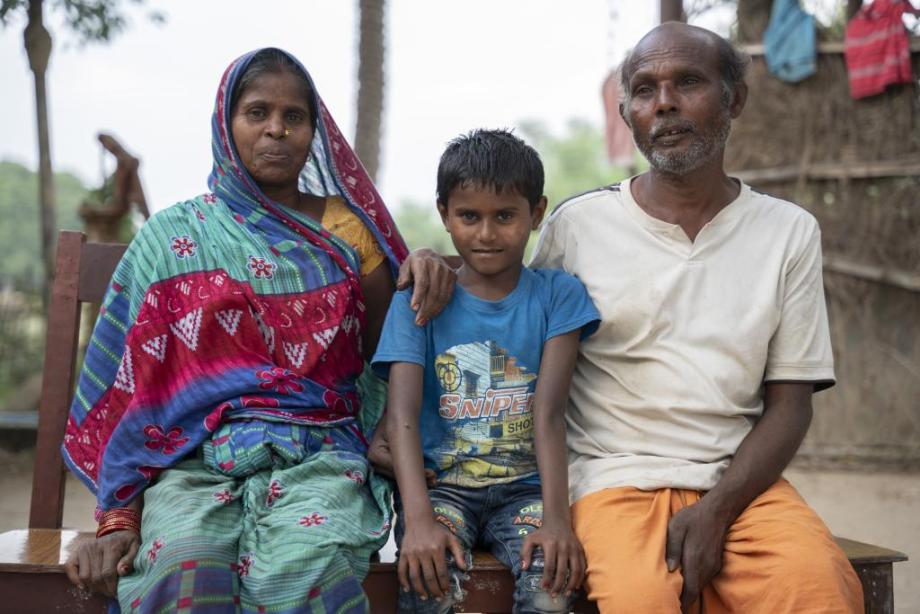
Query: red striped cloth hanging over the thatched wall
x: 877, y: 48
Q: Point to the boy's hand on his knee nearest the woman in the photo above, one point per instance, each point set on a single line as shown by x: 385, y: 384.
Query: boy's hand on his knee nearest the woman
x: 422, y: 561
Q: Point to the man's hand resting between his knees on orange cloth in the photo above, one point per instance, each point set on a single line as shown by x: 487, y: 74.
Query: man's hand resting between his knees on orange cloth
x: 696, y: 541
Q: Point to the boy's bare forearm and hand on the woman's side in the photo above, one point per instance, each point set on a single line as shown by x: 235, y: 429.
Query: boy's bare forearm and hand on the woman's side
x: 421, y: 559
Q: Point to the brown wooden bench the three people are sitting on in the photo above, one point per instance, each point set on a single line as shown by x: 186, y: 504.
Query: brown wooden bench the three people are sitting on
x: 31, y: 560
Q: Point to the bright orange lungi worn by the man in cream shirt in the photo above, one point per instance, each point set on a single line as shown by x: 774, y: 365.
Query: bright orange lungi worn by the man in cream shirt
x: 779, y: 556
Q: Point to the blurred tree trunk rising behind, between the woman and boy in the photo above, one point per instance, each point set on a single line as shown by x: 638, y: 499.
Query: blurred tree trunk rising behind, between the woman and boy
x: 370, y: 84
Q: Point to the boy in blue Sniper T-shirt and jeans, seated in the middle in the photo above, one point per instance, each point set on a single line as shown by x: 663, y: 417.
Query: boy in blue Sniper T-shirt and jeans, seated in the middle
x: 478, y: 394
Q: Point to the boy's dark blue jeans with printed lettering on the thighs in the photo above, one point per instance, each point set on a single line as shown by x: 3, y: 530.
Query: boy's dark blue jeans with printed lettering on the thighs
x: 497, y: 518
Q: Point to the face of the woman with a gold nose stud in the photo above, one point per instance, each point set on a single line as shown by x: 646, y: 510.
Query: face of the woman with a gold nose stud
x: 272, y: 129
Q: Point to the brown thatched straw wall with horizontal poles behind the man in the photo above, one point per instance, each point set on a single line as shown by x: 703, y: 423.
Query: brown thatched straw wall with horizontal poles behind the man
x: 856, y: 166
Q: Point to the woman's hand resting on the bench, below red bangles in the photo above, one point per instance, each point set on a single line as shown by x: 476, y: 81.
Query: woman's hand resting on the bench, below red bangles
x: 97, y: 564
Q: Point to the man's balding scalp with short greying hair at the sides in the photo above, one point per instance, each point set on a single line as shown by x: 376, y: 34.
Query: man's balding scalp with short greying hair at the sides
x: 732, y: 63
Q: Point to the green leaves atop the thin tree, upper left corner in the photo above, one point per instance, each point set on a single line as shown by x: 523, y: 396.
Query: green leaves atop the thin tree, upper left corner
x: 90, y: 20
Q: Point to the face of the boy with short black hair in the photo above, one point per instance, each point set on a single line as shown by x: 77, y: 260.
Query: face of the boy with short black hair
x: 490, y: 230
